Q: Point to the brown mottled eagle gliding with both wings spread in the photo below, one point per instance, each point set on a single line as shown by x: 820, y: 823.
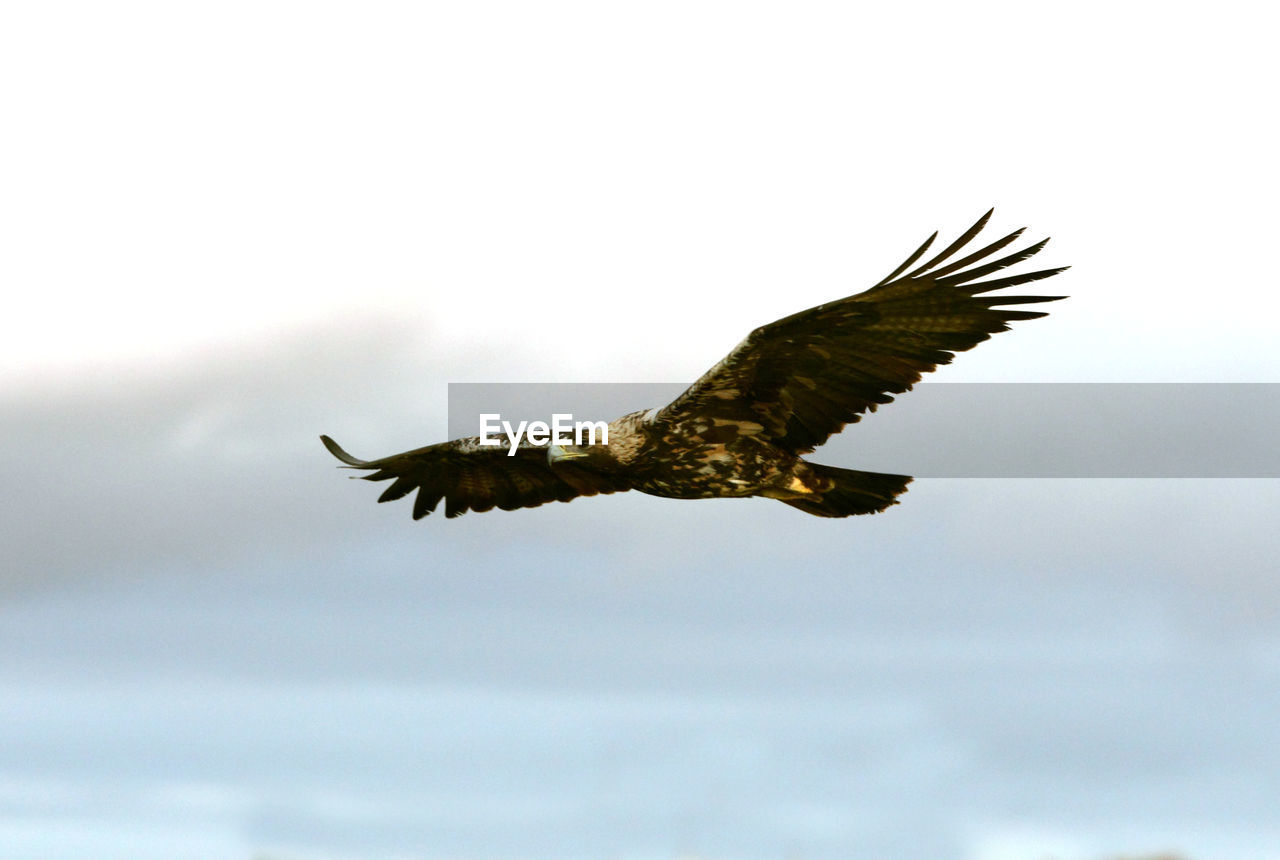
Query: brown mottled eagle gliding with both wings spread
x: 743, y: 428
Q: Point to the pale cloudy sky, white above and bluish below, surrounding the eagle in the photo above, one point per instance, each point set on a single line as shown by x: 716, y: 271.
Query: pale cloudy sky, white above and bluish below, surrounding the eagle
x: 231, y: 228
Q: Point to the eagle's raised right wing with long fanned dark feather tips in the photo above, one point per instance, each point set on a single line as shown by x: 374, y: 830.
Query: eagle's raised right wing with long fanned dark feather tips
x: 806, y: 377
